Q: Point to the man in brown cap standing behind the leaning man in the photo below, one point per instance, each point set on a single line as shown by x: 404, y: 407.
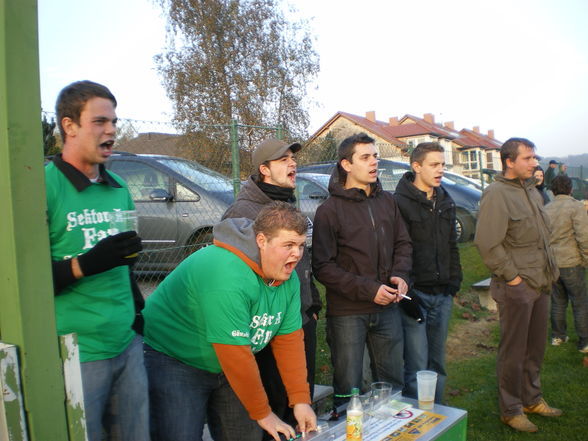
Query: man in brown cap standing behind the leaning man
x: 274, y: 179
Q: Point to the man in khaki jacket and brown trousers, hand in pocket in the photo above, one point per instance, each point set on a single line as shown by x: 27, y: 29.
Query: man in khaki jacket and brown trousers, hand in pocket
x: 512, y: 236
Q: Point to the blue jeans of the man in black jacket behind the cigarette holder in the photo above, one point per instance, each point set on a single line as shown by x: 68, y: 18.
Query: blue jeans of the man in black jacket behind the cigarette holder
x: 424, y: 343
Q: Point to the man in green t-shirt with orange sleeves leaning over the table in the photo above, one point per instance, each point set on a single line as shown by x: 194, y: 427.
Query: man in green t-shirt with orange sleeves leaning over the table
x: 208, y: 318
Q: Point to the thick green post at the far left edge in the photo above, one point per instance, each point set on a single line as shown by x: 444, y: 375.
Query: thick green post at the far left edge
x: 26, y: 296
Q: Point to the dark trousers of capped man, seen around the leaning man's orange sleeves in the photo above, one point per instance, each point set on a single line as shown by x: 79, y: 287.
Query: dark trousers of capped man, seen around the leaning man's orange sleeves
x: 272, y: 381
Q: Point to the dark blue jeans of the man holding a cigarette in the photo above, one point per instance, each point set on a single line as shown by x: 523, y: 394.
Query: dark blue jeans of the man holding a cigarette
x: 347, y: 337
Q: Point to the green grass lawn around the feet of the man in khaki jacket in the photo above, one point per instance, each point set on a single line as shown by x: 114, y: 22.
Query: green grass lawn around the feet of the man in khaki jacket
x: 472, y: 380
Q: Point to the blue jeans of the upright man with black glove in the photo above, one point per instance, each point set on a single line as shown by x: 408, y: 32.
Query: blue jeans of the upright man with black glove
x: 115, y: 396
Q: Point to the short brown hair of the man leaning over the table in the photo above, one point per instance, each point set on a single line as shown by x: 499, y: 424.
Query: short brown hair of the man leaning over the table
x: 277, y: 216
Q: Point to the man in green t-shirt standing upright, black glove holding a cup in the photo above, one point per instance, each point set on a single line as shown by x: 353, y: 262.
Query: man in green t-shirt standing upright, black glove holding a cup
x: 90, y: 262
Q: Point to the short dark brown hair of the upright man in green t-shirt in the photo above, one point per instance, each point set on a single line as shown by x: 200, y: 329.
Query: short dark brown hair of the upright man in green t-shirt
x: 73, y: 98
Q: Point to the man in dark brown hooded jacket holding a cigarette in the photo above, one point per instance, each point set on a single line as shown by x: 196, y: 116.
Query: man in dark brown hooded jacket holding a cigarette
x: 362, y: 254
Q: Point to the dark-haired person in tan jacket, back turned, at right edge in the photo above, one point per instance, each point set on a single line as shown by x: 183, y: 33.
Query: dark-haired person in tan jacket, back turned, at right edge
x: 569, y: 241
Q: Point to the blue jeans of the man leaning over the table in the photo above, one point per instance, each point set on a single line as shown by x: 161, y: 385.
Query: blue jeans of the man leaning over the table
x: 182, y: 397
